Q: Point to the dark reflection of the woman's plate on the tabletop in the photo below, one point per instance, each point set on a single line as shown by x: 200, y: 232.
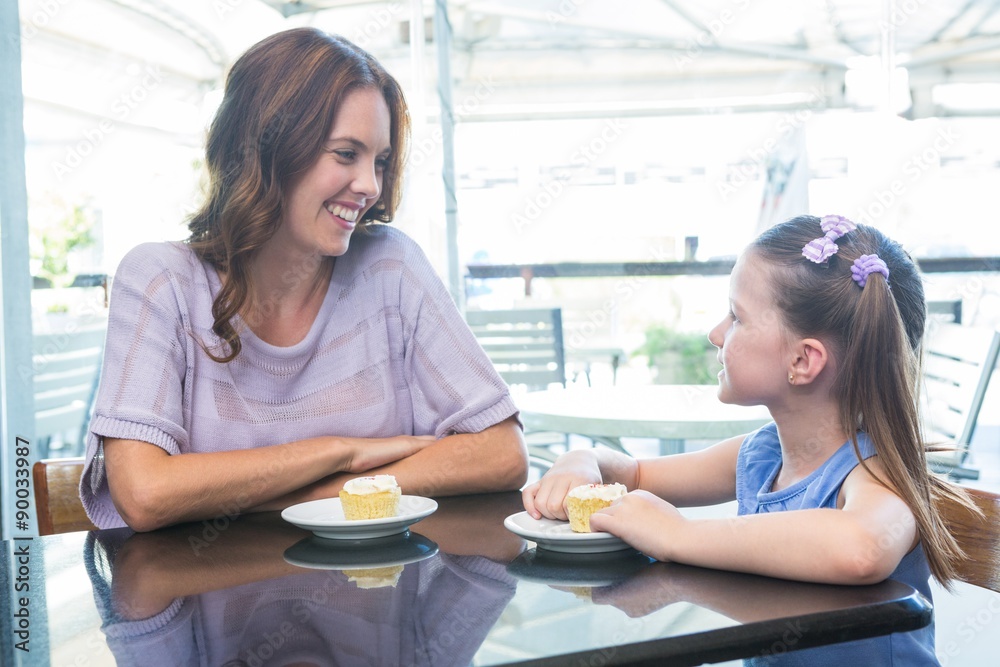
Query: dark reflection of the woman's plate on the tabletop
x: 322, y: 554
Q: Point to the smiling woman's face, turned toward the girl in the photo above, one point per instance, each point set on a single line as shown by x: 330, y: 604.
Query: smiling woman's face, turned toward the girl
x: 324, y: 205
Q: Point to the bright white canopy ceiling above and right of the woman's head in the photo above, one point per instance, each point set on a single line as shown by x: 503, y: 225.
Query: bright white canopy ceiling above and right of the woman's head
x: 668, y: 56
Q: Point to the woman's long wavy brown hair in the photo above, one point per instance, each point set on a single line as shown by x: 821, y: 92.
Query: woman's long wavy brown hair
x: 276, y: 113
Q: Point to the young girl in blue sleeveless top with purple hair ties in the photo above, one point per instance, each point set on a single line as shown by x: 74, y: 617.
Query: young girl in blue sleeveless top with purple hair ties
x: 824, y: 328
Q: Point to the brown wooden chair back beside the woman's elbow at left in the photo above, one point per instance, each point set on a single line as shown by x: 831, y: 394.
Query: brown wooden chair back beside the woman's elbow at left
x: 57, y: 496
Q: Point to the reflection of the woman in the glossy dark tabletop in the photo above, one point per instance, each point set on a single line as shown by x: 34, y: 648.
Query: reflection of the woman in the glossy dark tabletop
x: 265, y: 593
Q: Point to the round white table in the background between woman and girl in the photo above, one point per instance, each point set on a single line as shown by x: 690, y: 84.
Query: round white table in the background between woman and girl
x: 671, y: 413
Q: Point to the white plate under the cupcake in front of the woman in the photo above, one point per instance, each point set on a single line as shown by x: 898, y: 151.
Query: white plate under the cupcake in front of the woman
x: 325, y: 518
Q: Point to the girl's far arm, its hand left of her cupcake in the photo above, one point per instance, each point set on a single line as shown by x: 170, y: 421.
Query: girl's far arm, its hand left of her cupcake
x: 697, y: 478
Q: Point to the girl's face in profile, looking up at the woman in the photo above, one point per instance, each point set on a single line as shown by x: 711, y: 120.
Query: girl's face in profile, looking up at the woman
x: 754, y: 346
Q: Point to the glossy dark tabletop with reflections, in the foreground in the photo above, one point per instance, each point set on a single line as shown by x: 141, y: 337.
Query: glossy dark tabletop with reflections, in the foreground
x: 460, y: 589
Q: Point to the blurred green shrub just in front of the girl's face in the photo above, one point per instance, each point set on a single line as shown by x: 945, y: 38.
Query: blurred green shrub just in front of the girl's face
x: 680, y: 357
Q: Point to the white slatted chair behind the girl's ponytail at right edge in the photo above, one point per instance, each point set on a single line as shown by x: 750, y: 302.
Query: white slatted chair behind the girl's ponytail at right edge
x: 957, y: 365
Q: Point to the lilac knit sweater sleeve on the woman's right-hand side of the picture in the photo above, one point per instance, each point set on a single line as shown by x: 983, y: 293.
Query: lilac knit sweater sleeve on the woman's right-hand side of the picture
x: 454, y: 387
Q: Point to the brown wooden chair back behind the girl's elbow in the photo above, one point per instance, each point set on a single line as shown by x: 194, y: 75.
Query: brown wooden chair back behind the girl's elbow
x: 979, y: 537
